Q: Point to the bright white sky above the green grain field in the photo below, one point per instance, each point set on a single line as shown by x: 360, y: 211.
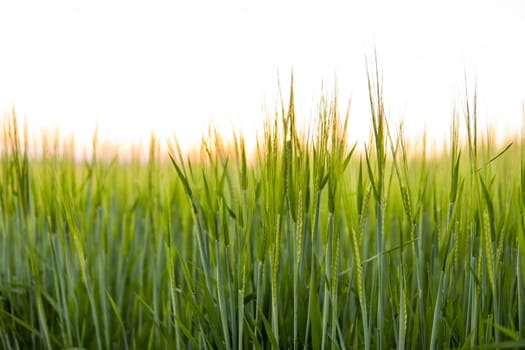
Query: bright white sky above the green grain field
x: 171, y: 67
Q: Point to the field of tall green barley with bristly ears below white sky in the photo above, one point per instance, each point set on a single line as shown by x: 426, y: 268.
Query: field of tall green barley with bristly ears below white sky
x: 312, y: 244
